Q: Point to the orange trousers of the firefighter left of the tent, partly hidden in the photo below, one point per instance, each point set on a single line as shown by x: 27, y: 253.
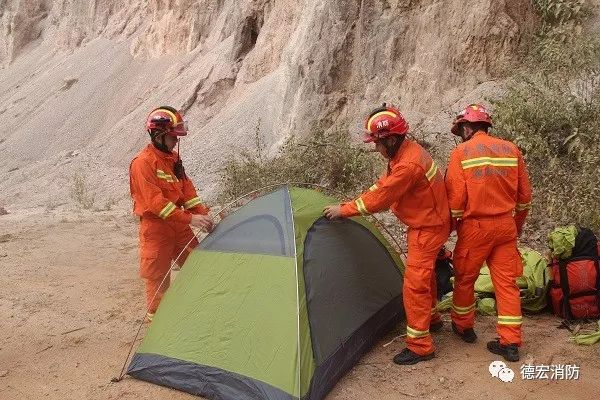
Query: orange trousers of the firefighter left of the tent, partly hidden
x: 162, y: 243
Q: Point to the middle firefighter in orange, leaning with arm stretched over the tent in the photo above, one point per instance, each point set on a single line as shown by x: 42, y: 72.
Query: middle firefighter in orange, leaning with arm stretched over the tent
x: 413, y: 188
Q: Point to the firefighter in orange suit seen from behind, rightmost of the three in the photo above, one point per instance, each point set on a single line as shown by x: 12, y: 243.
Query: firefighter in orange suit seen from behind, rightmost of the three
x: 489, y: 194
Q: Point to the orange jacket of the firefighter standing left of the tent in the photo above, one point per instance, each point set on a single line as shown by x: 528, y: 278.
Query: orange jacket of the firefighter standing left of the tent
x: 156, y: 191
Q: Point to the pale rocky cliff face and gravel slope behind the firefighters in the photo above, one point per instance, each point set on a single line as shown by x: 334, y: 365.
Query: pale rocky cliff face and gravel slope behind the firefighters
x: 79, y: 76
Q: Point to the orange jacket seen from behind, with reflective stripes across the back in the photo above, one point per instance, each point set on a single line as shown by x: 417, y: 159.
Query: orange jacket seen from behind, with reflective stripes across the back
x: 487, y: 177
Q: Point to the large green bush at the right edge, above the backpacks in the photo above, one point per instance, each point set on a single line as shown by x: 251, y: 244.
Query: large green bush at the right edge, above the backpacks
x: 551, y: 110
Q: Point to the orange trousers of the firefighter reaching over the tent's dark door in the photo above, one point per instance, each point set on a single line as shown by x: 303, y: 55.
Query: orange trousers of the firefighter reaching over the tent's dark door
x: 420, y: 289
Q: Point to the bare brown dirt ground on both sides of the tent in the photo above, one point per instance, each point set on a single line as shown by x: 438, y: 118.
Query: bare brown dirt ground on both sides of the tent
x: 71, y: 302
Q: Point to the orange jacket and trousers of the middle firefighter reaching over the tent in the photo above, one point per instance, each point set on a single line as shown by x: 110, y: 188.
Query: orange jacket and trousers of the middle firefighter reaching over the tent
x: 414, y: 190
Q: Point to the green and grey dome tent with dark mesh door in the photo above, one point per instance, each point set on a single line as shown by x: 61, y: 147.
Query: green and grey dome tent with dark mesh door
x: 276, y: 303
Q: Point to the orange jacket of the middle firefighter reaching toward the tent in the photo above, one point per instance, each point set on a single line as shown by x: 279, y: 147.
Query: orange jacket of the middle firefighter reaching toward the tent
x: 413, y: 189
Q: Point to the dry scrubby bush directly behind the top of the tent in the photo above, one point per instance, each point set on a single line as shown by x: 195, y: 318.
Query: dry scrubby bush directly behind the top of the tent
x: 327, y: 159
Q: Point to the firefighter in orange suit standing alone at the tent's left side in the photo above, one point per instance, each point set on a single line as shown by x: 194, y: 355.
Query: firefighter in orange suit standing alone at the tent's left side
x: 166, y: 201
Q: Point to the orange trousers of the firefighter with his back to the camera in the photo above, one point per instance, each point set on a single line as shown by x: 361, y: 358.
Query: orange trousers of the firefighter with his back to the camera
x: 491, y: 240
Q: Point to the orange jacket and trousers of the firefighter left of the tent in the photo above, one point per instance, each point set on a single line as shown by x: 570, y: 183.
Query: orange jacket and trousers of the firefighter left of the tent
x: 165, y: 205
